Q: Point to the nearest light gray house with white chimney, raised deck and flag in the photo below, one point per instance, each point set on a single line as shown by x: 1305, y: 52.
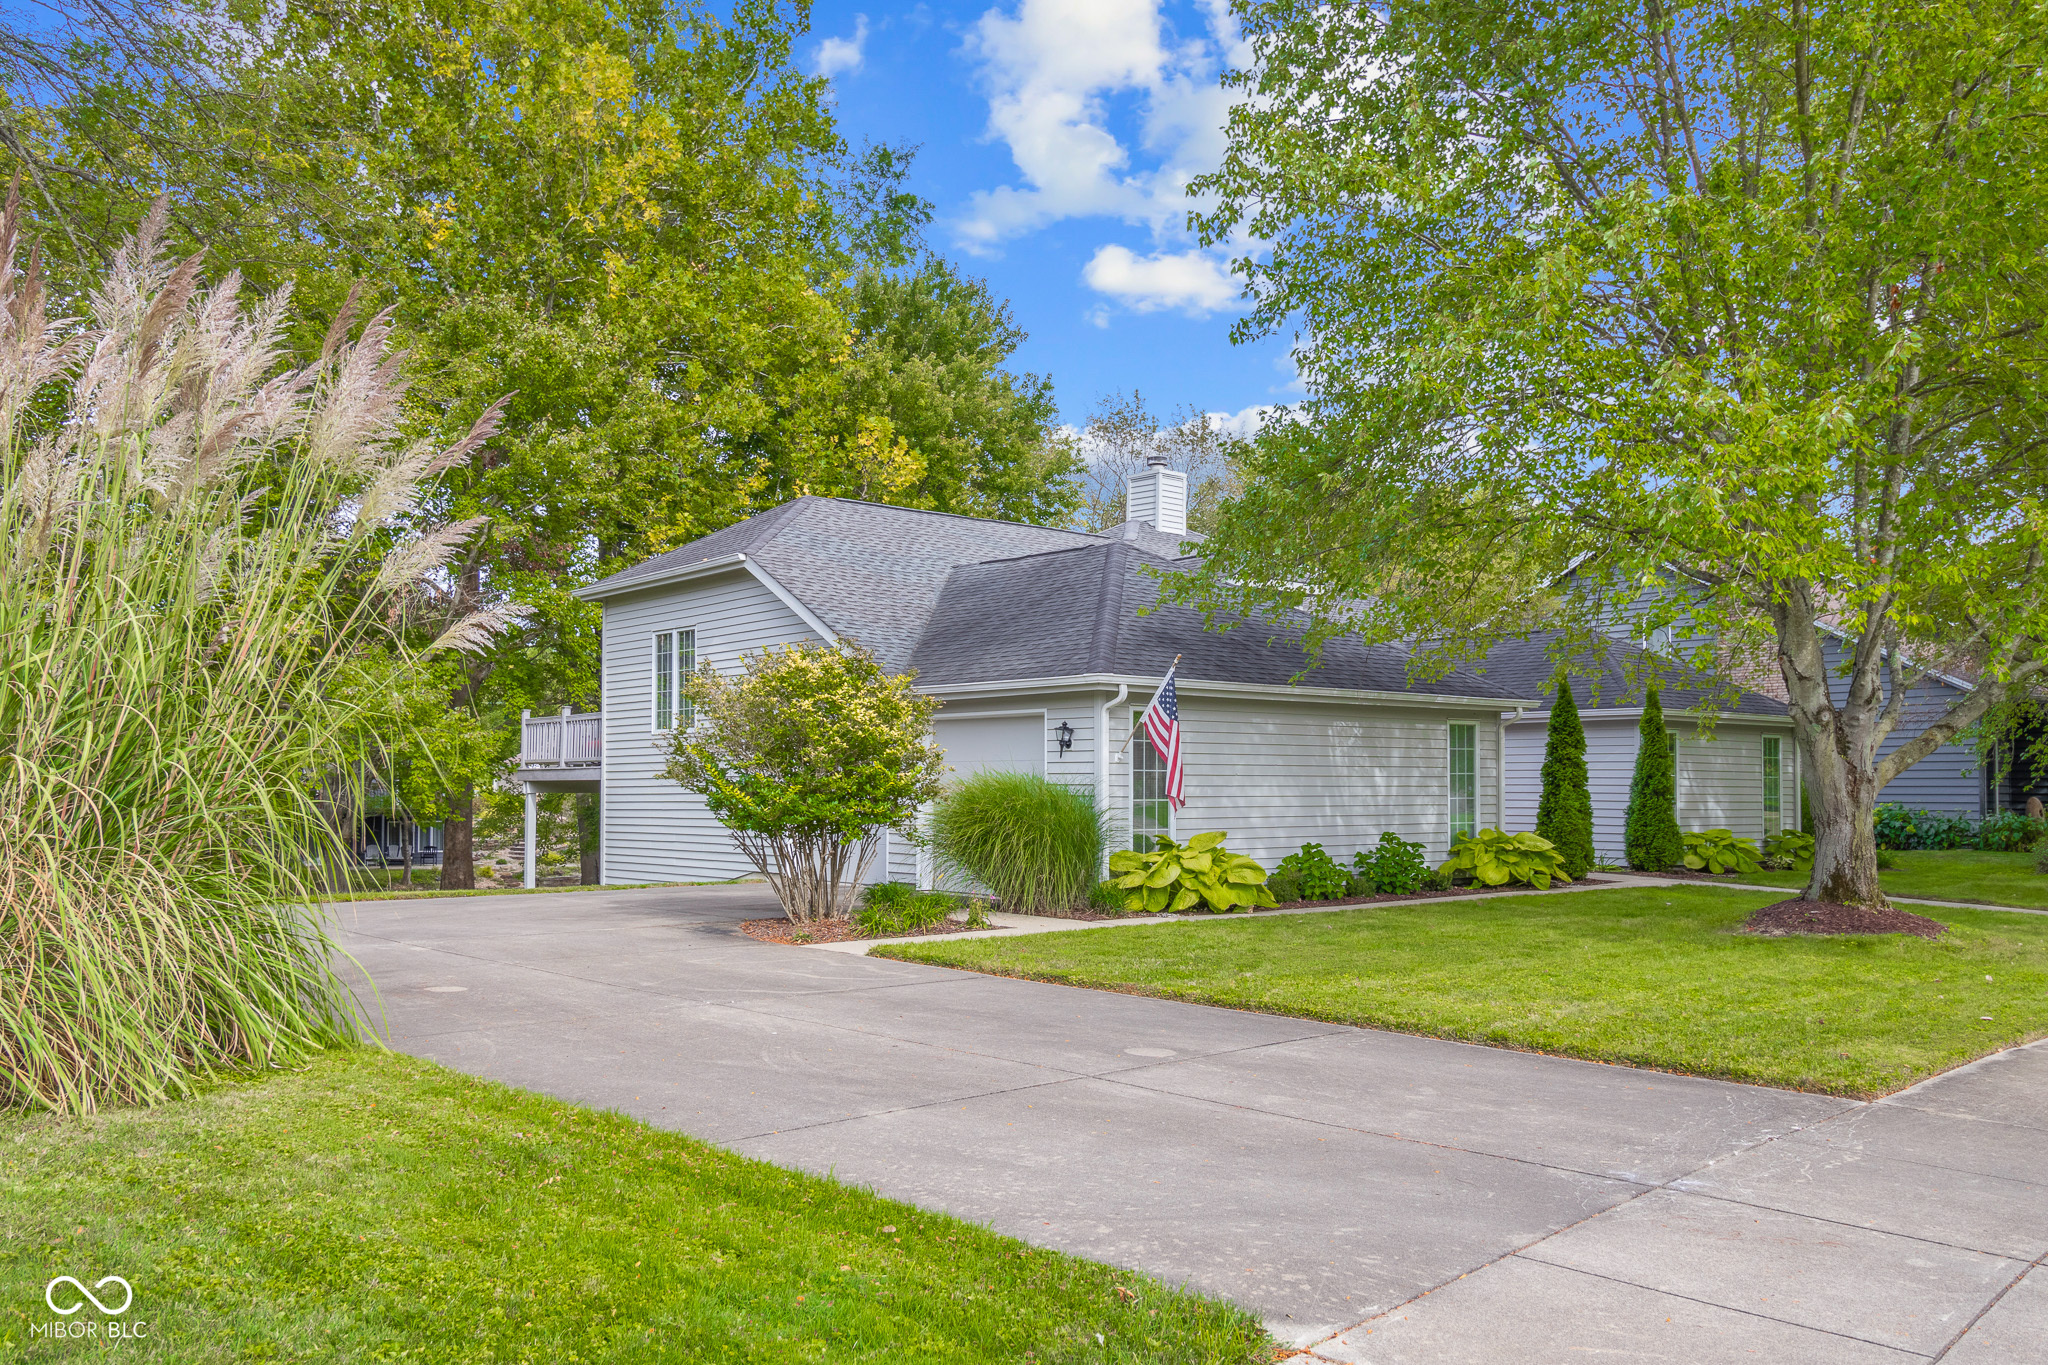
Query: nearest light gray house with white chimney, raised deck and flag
x: 1043, y: 648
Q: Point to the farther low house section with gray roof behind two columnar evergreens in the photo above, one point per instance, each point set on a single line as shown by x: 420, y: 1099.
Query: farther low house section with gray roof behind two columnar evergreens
x: 1738, y: 773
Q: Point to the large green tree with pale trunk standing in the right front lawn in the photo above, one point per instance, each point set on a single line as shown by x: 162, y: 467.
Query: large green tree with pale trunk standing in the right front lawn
x: 1738, y: 296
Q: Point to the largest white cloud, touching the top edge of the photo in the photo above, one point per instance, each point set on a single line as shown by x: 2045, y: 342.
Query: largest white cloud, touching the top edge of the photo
x: 1060, y: 75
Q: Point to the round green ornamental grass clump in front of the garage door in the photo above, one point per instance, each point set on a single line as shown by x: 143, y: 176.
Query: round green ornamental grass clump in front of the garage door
x: 1033, y: 844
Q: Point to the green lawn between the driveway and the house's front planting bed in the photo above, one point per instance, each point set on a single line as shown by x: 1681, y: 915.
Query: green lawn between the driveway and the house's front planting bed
x: 1639, y: 977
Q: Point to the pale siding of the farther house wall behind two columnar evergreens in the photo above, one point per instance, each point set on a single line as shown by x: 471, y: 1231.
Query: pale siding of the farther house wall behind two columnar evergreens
x: 1719, y: 781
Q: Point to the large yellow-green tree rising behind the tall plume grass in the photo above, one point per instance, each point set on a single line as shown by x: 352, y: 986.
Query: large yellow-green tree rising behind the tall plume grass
x: 638, y: 220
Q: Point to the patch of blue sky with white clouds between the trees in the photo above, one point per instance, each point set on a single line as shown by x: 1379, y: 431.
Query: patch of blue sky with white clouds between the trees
x: 1056, y: 144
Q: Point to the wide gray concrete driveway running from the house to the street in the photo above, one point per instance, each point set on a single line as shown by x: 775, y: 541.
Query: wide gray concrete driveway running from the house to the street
x: 1375, y: 1196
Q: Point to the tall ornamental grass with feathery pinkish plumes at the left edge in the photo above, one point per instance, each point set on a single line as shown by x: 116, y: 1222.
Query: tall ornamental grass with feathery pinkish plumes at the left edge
x: 198, y: 547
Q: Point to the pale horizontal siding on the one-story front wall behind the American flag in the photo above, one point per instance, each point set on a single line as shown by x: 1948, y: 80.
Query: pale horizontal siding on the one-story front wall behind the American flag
x: 1279, y: 775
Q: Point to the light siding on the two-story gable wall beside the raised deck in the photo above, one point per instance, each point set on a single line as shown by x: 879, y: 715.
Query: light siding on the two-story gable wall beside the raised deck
x: 654, y: 832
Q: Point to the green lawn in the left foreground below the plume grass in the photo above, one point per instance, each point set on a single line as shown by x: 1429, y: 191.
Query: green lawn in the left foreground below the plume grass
x: 380, y: 1208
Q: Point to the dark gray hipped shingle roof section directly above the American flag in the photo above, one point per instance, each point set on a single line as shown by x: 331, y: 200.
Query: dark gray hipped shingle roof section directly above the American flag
x: 1097, y: 611
